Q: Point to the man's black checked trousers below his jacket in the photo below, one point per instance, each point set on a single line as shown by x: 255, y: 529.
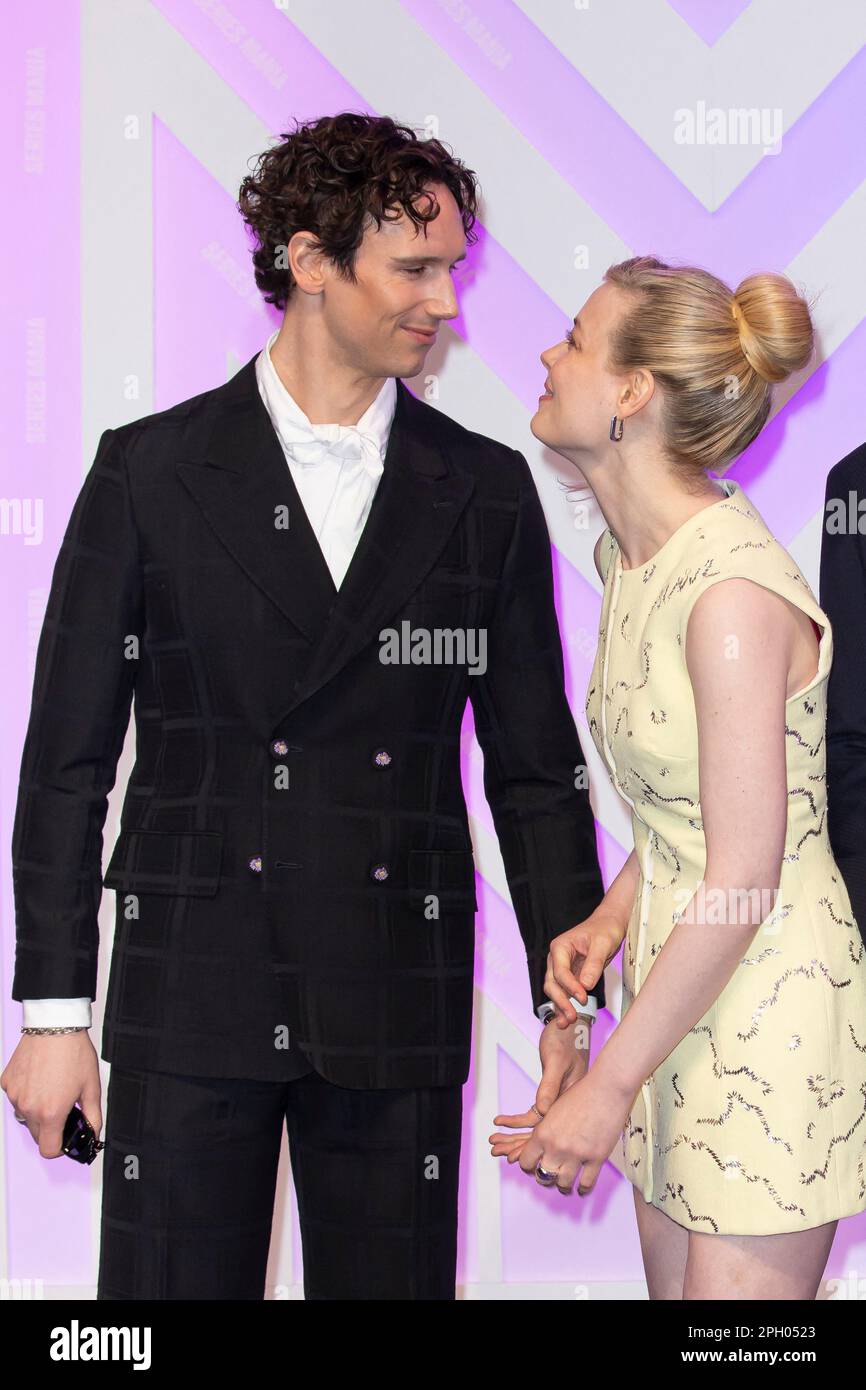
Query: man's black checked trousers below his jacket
x: 191, y: 1175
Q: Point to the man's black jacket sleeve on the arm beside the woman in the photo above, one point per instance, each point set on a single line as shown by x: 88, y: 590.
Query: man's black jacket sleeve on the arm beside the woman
x: 533, y: 753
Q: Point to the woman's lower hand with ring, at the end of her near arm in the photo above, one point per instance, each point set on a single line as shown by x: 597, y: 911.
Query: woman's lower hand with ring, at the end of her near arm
x: 578, y: 1135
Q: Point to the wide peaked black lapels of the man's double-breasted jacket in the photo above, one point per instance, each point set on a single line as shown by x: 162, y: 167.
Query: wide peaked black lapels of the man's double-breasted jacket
x: 237, y: 472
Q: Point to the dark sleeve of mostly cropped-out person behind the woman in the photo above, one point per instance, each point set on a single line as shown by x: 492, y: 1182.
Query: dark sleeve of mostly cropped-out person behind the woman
x: 843, y: 598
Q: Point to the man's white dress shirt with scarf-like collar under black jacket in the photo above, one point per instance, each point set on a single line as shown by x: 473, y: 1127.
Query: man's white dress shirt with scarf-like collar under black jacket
x: 337, y: 471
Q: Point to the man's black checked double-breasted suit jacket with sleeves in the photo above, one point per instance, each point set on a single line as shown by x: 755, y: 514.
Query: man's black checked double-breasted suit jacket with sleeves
x: 295, y: 811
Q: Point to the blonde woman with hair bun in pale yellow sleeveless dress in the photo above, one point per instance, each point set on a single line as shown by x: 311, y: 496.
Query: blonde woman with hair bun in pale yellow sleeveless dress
x: 737, y: 1075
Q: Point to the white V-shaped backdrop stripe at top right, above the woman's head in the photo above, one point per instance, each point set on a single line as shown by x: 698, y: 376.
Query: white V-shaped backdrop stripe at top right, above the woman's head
x: 647, y: 63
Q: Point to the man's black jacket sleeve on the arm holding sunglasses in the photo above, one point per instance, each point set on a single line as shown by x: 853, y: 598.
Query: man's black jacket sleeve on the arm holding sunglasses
x: 83, y: 692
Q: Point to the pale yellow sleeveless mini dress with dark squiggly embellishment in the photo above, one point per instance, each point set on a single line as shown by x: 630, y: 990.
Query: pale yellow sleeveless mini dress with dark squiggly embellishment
x: 755, y: 1124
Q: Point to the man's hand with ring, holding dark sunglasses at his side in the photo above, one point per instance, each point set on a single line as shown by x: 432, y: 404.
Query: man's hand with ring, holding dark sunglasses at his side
x: 47, y: 1075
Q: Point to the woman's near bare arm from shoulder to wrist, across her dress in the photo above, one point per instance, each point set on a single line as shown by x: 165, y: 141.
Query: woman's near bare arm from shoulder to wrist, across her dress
x: 740, y: 646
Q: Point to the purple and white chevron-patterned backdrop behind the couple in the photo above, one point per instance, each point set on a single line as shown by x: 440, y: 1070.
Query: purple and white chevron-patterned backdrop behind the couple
x: 600, y: 129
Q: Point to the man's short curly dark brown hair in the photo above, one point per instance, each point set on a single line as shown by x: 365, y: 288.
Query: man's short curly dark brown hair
x: 330, y: 176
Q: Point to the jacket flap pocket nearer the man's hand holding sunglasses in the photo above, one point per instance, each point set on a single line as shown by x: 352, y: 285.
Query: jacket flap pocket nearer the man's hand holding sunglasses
x: 179, y: 862
